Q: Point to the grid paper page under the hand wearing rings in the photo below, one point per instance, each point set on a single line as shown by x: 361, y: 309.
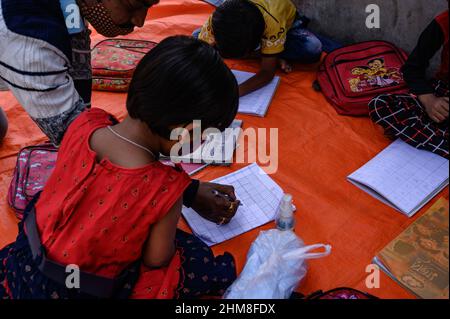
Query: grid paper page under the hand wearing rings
x: 260, y: 197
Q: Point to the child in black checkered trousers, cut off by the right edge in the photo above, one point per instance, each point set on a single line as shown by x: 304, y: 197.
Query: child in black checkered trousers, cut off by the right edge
x: 421, y: 117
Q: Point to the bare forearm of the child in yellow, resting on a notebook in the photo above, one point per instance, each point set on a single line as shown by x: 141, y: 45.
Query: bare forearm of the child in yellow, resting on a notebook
x: 266, y: 74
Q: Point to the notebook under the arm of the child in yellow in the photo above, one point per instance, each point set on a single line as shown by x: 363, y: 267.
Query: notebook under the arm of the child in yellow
x: 256, y: 103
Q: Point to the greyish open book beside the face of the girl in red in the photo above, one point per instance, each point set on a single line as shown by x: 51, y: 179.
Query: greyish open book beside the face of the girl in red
x: 217, y: 149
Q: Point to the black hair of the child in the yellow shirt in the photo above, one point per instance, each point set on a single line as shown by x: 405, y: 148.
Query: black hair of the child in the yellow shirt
x: 238, y: 26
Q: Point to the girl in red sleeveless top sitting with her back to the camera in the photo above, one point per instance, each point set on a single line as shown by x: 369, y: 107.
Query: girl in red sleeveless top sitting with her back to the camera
x: 111, y: 208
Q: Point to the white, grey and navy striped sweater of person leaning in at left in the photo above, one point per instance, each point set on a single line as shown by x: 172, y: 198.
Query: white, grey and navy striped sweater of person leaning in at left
x: 37, y: 72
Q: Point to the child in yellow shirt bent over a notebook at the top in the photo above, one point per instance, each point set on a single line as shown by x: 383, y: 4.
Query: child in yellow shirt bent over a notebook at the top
x: 271, y: 29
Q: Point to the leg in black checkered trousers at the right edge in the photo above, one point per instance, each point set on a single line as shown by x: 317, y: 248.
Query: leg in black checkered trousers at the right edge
x: 402, y: 116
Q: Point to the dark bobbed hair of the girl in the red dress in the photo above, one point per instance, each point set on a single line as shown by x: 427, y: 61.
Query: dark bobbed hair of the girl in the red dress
x: 181, y: 80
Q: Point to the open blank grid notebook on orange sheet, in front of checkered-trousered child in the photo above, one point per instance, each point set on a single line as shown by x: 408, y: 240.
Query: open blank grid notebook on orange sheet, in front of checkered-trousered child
x: 403, y: 177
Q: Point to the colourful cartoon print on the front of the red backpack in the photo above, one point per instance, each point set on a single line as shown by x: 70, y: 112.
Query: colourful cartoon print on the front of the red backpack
x: 374, y: 75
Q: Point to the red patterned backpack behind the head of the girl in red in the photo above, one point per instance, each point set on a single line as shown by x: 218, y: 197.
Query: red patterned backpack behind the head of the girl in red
x: 114, y: 62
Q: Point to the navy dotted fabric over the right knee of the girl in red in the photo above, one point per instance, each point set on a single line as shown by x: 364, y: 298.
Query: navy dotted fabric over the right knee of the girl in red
x: 203, y: 273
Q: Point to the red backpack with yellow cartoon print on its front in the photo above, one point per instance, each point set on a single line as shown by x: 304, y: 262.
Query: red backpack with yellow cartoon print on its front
x: 351, y: 76
